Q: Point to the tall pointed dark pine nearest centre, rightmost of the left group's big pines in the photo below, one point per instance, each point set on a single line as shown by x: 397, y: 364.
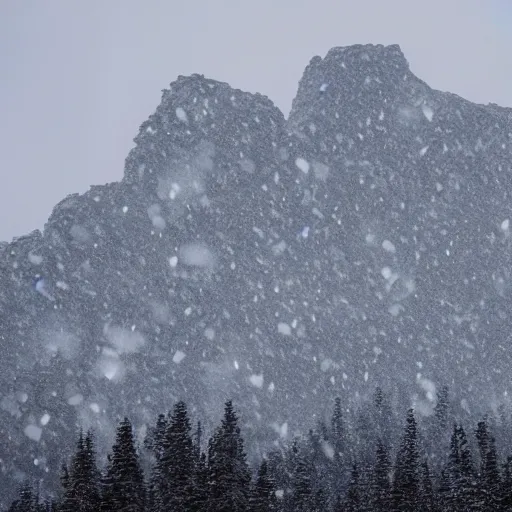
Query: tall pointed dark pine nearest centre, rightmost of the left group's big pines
x: 228, y: 473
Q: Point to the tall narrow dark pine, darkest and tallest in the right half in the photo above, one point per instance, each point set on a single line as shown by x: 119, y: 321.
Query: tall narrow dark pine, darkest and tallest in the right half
x: 406, y: 484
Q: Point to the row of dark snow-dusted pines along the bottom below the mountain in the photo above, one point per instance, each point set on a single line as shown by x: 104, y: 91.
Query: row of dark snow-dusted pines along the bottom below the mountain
x: 436, y: 466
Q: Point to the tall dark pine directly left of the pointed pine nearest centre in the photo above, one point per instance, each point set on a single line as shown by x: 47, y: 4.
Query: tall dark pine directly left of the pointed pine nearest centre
x: 176, y: 468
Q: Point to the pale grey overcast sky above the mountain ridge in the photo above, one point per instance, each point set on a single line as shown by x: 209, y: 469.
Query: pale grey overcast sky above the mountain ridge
x: 77, y: 78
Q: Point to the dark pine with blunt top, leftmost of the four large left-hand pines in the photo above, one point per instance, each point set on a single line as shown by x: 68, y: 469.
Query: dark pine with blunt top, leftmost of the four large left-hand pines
x: 81, y: 493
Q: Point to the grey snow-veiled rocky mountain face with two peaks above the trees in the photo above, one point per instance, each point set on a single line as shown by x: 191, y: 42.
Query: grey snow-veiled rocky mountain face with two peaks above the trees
x: 365, y: 240
